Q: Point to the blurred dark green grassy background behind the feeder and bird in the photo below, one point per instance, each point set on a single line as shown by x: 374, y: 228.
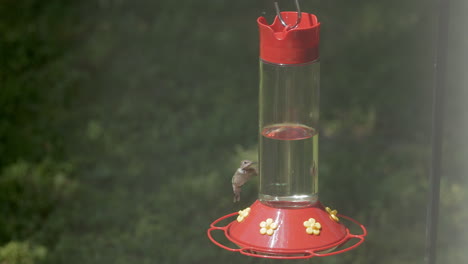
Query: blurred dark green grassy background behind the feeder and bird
x: 122, y: 122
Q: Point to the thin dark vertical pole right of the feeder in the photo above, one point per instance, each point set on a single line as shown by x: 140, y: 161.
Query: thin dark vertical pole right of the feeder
x: 437, y: 130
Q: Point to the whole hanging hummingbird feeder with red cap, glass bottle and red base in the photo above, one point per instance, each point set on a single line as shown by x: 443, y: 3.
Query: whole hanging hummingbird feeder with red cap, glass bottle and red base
x: 288, y: 221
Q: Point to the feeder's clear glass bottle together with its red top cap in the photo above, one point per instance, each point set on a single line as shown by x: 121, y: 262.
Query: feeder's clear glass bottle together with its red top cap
x: 289, y: 113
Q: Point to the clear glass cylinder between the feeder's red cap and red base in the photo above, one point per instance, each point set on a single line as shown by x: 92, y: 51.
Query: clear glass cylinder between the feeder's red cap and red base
x: 288, y: 123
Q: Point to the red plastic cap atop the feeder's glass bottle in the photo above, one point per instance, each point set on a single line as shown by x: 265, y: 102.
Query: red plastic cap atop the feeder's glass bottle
x: 283, y: 45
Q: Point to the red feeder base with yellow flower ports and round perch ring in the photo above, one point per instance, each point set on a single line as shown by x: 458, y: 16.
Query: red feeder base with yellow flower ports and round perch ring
x: 287, y: 233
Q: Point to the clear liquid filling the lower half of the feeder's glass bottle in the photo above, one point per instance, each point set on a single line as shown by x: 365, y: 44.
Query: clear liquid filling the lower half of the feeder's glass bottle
x: 289, y: 165
